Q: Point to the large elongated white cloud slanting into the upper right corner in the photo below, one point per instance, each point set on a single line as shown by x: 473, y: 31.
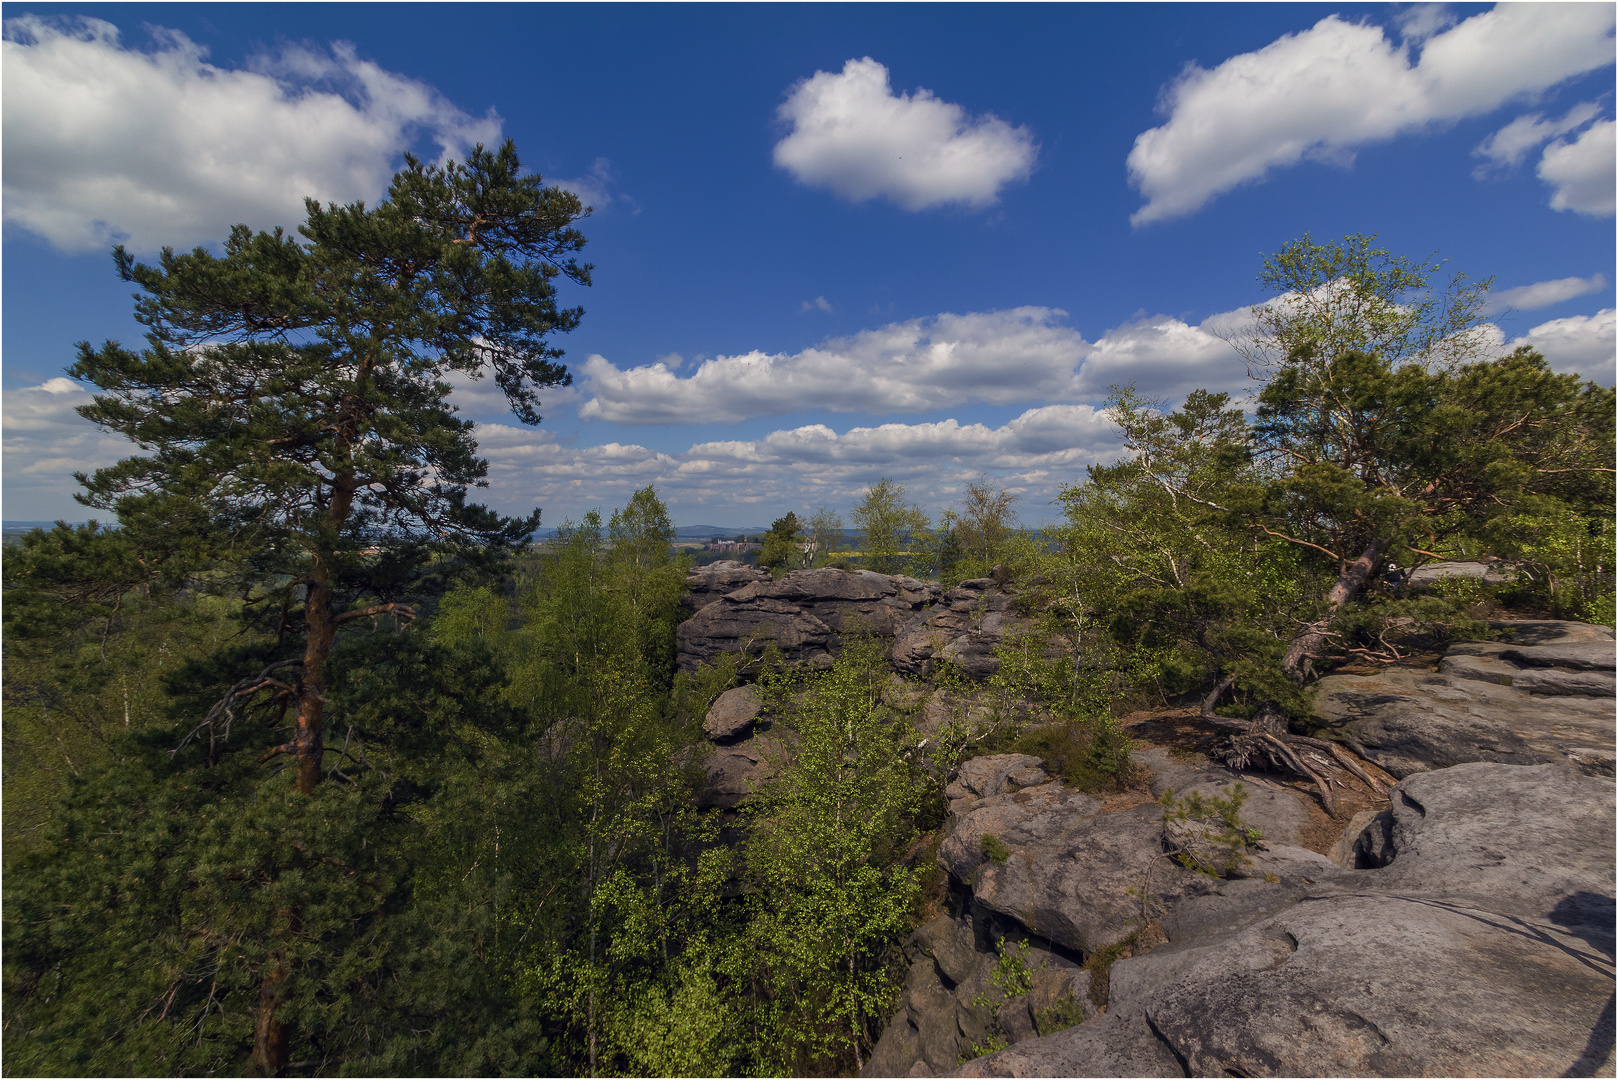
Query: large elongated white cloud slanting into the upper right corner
x: 1323, y: 93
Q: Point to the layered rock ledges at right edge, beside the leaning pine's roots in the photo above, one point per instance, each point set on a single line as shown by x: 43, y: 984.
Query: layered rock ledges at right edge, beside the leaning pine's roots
x: 1546, y: 695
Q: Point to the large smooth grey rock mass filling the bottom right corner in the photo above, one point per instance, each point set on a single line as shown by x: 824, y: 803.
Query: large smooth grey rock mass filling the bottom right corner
x: 1483, y: 948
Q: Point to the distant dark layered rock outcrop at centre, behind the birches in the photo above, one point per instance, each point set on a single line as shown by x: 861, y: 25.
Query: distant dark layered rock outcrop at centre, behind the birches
x: 803, y: 614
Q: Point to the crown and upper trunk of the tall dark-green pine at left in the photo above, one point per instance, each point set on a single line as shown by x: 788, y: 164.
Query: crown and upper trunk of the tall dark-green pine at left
x: 295, y: 409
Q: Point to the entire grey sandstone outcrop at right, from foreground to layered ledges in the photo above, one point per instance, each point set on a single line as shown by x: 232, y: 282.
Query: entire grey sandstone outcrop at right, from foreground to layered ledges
x: 1467, y: 929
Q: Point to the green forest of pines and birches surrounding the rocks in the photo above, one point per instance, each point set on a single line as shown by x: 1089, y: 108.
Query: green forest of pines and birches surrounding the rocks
x: 315, y: 767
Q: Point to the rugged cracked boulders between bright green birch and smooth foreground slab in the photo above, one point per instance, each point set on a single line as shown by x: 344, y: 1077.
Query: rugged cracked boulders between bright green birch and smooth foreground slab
x: 1072, y: 883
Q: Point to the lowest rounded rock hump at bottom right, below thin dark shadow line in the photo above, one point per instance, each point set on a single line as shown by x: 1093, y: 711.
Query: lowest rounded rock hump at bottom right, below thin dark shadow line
x: 1394, y: 987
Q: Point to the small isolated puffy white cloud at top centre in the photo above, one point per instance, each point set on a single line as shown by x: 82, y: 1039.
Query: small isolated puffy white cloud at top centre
x: 852, y: 134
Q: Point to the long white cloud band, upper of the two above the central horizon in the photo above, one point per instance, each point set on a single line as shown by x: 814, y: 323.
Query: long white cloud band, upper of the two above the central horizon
x: 1009, y: 357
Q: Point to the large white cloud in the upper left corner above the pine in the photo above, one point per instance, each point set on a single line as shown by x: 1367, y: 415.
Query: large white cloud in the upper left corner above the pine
x: 108, y: 143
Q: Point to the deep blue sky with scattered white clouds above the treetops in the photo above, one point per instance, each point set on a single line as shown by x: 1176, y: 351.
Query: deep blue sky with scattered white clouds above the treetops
x: 832, y: 244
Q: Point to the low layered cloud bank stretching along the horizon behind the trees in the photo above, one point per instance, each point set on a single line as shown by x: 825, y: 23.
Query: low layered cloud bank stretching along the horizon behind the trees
x: 1035, y: 454
